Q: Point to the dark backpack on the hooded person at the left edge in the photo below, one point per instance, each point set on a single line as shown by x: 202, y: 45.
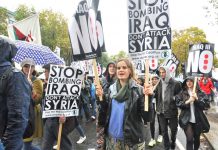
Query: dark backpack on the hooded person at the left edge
x: 3, y: 110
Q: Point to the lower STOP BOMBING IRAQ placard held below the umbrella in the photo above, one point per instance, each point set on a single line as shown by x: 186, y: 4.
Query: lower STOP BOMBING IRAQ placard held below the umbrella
x: 63, y: 90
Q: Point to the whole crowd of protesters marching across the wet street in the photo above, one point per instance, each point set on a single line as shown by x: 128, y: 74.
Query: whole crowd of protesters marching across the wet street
x: 119, y: 115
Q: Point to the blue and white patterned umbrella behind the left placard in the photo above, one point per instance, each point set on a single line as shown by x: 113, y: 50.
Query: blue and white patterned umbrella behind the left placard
x: 40, y: 54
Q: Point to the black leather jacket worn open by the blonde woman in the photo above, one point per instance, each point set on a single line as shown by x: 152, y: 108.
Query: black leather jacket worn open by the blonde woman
x: 133, y: 128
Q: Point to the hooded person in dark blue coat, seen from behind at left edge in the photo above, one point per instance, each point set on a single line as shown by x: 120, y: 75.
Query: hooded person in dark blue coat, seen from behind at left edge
x: 15, y: 96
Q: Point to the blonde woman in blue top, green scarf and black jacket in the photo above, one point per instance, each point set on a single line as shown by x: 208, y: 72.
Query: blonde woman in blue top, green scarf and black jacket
x: 124, y: 128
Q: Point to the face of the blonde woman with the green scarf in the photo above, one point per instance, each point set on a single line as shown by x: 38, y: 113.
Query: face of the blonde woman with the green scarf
x: 123, y: 71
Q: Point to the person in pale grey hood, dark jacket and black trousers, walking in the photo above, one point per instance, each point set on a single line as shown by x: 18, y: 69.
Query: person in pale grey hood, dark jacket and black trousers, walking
x: 166, y: 107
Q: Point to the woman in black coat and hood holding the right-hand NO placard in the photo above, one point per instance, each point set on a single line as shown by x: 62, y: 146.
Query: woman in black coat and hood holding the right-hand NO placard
x: 192, y: 103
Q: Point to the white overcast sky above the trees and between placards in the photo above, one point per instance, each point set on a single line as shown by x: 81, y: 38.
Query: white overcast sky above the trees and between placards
x: 183, y: 14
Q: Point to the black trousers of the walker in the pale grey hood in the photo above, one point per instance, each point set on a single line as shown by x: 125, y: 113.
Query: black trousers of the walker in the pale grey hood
x: 173, y: 124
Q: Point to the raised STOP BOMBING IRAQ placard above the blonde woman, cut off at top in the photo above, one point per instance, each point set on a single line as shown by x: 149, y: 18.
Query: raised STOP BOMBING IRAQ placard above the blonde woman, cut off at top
x: 149, y: 29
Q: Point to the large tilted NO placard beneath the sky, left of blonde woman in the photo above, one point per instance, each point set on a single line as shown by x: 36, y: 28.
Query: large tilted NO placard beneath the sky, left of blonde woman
x: 86, y: 32
